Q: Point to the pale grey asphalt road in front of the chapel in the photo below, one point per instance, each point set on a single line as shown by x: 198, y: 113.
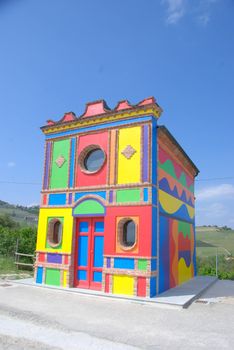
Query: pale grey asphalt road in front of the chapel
x: 40, y: 318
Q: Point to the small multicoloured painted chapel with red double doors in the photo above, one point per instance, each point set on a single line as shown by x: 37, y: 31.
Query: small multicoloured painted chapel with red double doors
x: 117, y: 203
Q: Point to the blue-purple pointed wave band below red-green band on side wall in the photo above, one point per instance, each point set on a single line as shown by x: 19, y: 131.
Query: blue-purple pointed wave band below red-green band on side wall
x: 172, y: 189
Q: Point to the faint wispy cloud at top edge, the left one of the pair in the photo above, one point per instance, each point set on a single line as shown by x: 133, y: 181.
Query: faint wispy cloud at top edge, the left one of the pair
x: 175, y: 10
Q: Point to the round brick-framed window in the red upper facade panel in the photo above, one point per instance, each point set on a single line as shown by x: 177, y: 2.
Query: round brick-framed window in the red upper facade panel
x: 92, y: 159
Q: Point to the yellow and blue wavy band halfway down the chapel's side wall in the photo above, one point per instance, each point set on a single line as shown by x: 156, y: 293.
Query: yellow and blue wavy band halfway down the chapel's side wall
x: 175, y: 207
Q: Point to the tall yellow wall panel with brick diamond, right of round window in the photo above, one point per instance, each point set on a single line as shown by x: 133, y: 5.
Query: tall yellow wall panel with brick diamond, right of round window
x: 129, y: 170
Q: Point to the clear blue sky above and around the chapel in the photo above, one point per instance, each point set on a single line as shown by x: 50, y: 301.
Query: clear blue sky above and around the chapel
x: 57, y: 55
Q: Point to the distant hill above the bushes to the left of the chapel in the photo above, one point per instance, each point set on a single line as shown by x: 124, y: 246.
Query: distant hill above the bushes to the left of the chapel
x: 21, y: 214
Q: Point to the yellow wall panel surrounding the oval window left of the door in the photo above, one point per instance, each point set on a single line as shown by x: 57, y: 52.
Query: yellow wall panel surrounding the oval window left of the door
x: 66, y: 214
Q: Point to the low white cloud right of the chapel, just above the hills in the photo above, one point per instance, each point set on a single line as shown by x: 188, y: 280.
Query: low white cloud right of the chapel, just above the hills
x: 216, y: 192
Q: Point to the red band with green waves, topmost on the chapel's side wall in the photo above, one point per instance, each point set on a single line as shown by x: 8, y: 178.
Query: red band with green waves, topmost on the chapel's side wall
x: 175, y: 170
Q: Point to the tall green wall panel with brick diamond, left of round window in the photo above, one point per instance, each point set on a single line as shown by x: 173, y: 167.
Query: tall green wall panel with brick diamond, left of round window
x: 59, y: 175
